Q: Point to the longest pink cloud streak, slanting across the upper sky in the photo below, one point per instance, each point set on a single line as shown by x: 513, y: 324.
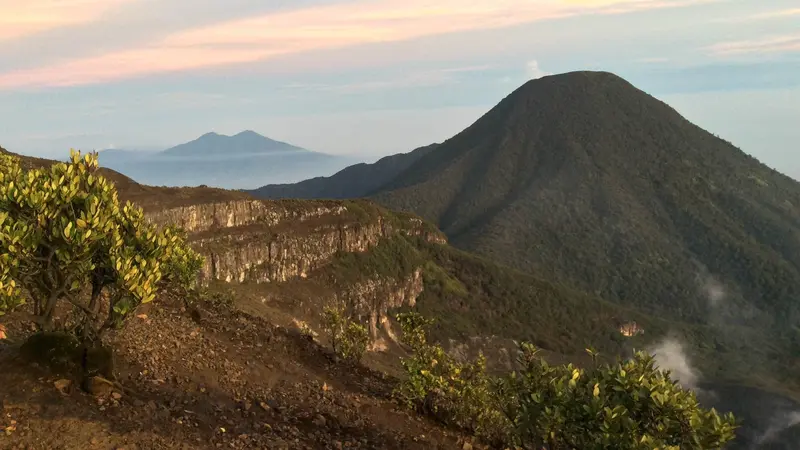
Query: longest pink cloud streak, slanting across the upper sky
x: 312, y: 28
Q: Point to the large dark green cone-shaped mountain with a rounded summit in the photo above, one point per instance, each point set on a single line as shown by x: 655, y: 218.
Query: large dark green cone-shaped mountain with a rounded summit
x: 584, y: 179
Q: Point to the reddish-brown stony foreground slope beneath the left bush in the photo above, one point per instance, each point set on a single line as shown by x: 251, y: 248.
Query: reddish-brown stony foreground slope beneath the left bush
x: 207, y: 377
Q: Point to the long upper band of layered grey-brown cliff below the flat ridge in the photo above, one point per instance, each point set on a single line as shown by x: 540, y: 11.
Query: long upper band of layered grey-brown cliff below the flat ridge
x: 275, y: 241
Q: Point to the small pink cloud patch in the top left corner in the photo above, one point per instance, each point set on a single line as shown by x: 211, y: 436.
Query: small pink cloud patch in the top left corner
x: 20, y: 18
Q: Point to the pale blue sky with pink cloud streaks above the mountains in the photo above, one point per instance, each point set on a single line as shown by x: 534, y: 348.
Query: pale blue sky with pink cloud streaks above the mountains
x: 375, y: 77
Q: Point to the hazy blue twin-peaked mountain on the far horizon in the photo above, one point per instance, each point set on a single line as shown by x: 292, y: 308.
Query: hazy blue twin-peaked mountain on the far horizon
x: 244, y: 160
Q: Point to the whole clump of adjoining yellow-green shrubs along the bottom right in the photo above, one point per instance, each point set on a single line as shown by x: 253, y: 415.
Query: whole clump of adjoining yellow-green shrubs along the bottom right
x: 629, y: 405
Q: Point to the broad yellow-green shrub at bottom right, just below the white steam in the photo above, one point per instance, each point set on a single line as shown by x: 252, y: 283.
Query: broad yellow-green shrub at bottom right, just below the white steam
x: 628, y: 405
